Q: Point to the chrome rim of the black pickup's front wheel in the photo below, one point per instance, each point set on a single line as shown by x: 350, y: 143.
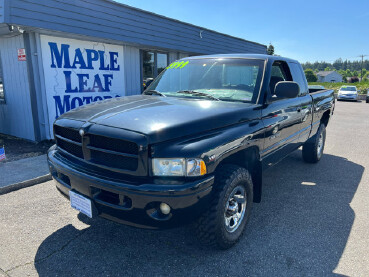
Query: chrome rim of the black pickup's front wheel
x: 235, y: 209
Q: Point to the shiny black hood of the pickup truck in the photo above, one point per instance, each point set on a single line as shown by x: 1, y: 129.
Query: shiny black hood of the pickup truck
x: 163, y: 118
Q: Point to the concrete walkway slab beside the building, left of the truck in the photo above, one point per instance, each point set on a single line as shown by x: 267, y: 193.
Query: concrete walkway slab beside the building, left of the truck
x: 22, y: 170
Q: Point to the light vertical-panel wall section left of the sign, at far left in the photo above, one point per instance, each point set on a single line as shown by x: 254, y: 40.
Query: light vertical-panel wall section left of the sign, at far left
x: 16, y: 114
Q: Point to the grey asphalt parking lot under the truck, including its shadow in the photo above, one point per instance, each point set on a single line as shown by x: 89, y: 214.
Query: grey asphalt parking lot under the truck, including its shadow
x: 313, y: 221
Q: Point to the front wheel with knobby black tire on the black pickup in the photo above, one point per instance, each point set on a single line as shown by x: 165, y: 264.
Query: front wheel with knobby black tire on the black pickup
x: 223, y: 224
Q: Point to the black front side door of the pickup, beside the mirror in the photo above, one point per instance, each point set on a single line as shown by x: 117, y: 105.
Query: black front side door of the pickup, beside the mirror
x: 281, y: 118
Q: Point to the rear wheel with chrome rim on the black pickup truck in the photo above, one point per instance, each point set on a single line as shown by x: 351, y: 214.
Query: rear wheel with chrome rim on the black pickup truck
x: 312, y: 150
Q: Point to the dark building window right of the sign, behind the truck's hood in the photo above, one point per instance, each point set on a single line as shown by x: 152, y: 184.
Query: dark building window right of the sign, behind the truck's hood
x: 152, y: 64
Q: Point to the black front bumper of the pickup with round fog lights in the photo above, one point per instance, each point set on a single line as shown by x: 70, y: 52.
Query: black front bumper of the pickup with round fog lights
x: 133, y: 204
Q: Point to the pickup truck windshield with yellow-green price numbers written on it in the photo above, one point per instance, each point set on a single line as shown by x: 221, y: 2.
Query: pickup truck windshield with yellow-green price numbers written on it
x: 217, y: 79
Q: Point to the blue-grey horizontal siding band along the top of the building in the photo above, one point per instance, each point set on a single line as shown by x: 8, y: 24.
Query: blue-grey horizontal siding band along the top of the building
x: 108, y: 20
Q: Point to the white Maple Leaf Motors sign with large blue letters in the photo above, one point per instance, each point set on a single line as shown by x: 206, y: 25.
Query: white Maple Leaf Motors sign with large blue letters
x: 80, y: 72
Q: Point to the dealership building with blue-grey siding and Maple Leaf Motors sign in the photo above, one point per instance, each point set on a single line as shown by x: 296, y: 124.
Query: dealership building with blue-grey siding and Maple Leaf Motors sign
x: 57, y: 55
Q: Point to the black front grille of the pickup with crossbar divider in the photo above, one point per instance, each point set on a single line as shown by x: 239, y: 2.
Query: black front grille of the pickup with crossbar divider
x: 109, y: 153
